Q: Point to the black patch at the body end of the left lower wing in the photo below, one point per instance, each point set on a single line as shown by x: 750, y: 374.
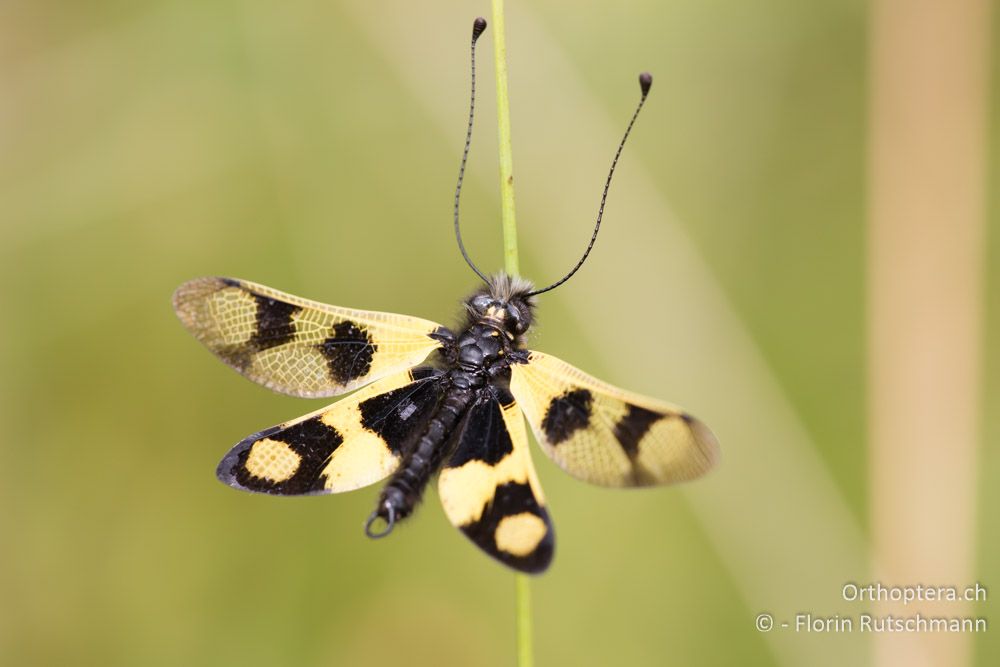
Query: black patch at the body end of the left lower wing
x: 398, y: 416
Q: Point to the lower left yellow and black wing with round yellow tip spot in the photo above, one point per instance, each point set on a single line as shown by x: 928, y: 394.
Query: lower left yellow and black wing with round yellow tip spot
x: 355, y: 442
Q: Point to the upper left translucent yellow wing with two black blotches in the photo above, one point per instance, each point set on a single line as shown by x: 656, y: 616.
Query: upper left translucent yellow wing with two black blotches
x: 296, y: 346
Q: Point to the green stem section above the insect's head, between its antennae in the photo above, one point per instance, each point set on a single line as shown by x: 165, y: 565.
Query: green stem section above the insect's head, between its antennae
x: 503, y: 135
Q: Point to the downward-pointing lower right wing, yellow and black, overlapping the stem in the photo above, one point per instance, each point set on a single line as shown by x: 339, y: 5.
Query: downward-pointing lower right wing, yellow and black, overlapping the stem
x: 489, y: 489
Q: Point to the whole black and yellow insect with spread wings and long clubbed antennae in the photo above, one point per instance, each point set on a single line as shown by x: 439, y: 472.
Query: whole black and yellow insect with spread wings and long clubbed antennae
x: 461, y: 417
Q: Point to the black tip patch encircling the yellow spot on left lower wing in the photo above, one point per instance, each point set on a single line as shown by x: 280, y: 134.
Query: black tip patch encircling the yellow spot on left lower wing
x: 312, y: 439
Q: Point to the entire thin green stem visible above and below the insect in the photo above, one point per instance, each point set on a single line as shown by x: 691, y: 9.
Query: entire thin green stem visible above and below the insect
x: 522, y: 612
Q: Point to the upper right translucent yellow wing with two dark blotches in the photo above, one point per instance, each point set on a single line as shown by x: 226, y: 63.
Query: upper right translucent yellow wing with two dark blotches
x: 607, y: 436
